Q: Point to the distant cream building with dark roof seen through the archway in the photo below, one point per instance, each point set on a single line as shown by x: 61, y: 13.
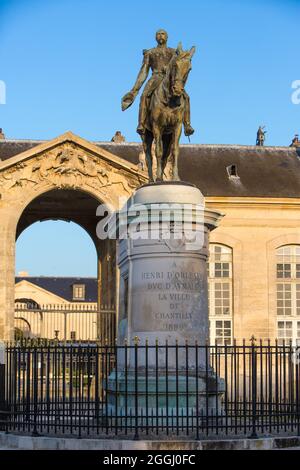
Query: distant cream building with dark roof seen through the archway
x: 63, y: 308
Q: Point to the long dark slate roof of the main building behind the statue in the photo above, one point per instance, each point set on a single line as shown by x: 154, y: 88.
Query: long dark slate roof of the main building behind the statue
x: 263, y: 171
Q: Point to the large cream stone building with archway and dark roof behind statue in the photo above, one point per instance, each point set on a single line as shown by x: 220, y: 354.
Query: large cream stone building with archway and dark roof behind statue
x: 254, y: 270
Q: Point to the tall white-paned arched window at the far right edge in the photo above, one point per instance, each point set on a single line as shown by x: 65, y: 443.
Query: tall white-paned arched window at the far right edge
x: 288, y: 293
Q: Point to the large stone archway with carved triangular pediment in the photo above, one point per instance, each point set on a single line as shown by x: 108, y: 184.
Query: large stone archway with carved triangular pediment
x: 48, y: 172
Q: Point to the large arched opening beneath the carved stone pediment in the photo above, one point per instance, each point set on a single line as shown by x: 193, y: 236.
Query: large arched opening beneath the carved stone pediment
x: 67, y: 307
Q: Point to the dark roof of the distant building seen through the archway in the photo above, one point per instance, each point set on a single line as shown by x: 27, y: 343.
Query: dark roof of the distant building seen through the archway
x: 62, y: 286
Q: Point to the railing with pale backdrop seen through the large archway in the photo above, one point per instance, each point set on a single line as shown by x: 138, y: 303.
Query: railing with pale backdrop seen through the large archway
x: 66, y: 322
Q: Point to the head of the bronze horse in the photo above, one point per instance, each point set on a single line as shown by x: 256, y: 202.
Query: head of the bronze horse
x: 180, y: 68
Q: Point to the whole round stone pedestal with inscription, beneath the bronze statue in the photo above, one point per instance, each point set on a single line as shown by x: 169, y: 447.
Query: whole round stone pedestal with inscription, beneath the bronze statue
x: 164, y: 300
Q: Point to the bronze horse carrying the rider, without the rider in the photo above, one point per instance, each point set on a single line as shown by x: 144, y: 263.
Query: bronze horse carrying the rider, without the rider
x: 165, y: 115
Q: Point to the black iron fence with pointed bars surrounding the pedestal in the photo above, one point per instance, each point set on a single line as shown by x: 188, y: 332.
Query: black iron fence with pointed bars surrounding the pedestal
x: 186, y: 391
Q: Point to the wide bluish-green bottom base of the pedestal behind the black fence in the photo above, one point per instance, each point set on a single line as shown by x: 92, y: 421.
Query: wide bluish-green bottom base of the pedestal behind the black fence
x: 164, y: 401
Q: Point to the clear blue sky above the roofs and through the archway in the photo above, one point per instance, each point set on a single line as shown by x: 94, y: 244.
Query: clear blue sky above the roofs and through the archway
x: 66, y: 65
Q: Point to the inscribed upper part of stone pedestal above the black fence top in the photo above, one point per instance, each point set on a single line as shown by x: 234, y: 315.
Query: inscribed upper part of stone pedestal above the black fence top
x: 165, y: 276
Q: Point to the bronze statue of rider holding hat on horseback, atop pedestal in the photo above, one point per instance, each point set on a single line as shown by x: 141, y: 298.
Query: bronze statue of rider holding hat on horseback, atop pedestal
x: 164, y: 104
